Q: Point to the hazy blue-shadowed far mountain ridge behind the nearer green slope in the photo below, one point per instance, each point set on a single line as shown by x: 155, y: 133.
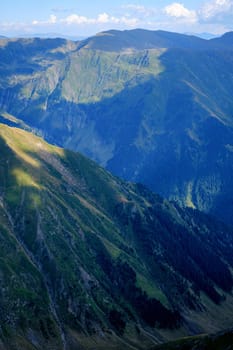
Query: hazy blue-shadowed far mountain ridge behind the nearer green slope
x: 152, y: 107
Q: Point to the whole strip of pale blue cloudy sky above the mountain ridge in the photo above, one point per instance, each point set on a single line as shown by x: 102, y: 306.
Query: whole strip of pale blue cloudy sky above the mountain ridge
x: 82, y: 18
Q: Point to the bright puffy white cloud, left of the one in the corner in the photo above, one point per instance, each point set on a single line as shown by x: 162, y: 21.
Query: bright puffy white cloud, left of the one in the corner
x: 178, y: 10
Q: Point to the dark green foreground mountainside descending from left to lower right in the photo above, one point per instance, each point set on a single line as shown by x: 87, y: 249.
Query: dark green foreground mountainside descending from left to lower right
x: 88, y: 260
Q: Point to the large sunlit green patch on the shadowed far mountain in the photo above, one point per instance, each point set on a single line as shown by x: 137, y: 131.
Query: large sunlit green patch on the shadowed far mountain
x: 108, y: 73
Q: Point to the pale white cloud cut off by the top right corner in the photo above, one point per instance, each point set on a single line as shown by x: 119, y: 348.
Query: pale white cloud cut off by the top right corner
x: 214, y: 8
